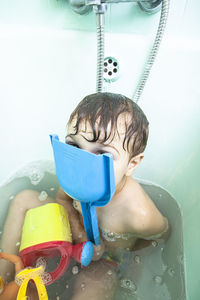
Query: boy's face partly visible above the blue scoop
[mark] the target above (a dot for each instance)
(121, 158)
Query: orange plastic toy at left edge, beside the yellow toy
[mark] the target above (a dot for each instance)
(10, 290)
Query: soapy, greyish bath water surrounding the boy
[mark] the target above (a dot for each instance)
(149, 273)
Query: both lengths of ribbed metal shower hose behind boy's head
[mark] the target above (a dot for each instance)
(150, 60)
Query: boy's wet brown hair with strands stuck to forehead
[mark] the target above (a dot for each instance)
(101, 109)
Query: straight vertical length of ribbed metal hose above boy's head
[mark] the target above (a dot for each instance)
(100, 47)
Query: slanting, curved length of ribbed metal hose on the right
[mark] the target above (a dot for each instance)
(154, 50)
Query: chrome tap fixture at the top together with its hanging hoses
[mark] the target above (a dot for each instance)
(99, 7)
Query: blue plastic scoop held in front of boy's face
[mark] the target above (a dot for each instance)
(86, 177)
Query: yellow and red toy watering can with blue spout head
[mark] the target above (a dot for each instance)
(46, 233)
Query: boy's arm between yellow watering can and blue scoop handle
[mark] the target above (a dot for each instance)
(77, 228)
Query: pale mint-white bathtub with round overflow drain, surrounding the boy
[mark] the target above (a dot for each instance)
(48, 64)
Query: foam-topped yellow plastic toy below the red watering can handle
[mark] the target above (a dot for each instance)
(34, 274)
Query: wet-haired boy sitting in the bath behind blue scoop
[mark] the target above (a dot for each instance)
(104, 123)
